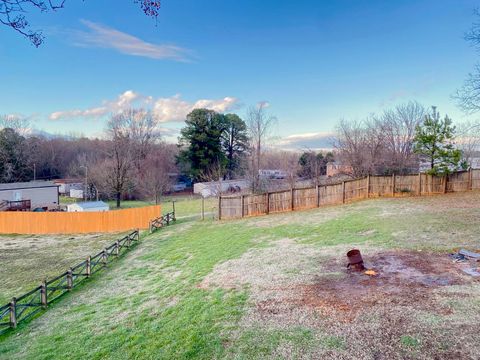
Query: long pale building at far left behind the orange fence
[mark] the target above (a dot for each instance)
(29, 195)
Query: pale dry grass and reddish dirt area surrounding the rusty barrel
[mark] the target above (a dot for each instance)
(412, 308)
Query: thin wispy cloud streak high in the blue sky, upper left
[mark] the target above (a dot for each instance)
(102, 36)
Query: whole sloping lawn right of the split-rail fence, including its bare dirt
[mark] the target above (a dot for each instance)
(276, 287)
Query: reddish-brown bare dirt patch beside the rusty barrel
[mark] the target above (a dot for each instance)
(404, 279)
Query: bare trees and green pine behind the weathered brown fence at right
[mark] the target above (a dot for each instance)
(396, 141)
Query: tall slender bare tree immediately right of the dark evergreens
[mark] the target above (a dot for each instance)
(260, 124)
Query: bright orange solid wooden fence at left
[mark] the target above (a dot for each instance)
(77, 222)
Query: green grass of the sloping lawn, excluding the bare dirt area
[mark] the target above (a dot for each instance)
(152, 303)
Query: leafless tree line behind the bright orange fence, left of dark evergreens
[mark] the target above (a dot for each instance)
(131, 161)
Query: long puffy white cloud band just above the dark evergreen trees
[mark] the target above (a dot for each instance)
(167, 109)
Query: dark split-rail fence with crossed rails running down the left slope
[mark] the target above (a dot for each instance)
(28, 305)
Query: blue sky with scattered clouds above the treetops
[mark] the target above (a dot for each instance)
(314, 62)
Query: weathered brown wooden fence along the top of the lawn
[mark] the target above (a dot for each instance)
(231, 207)
